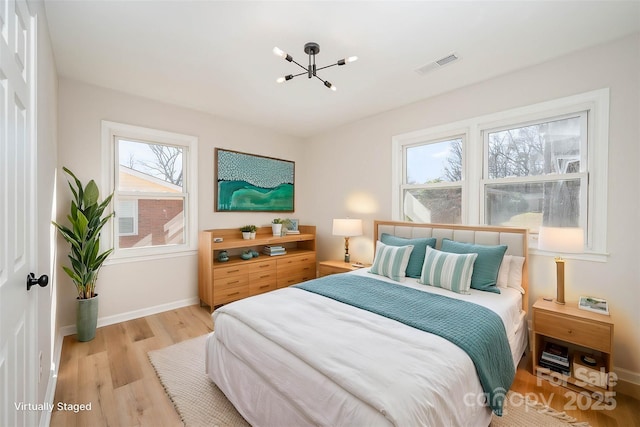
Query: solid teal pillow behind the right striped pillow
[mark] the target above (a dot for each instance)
(487, 266)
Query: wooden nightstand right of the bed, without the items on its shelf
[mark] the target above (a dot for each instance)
(579, 330)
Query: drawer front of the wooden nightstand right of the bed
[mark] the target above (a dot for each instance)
(580, 332)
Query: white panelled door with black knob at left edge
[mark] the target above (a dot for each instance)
(18, 329)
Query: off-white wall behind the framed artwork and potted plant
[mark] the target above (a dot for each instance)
(140, 287)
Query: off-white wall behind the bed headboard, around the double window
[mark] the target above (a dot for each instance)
(358, 181)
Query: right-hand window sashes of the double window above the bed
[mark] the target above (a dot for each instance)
(535, 174)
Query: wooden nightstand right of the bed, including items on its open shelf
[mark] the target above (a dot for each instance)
(579, 345)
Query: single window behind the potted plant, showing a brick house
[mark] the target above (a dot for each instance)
(154, 180)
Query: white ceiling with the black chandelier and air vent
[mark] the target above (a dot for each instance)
(216, 56)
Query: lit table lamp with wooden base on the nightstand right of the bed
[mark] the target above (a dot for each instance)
(561, 240)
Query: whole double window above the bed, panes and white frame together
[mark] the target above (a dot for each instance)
(544, 164)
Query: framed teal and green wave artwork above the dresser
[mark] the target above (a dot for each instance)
(251, 183)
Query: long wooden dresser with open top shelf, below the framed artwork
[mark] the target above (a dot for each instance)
(224, 282)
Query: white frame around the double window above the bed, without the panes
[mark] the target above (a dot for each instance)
(596, 103)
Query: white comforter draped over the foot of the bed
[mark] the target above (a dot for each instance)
(291, 357)
